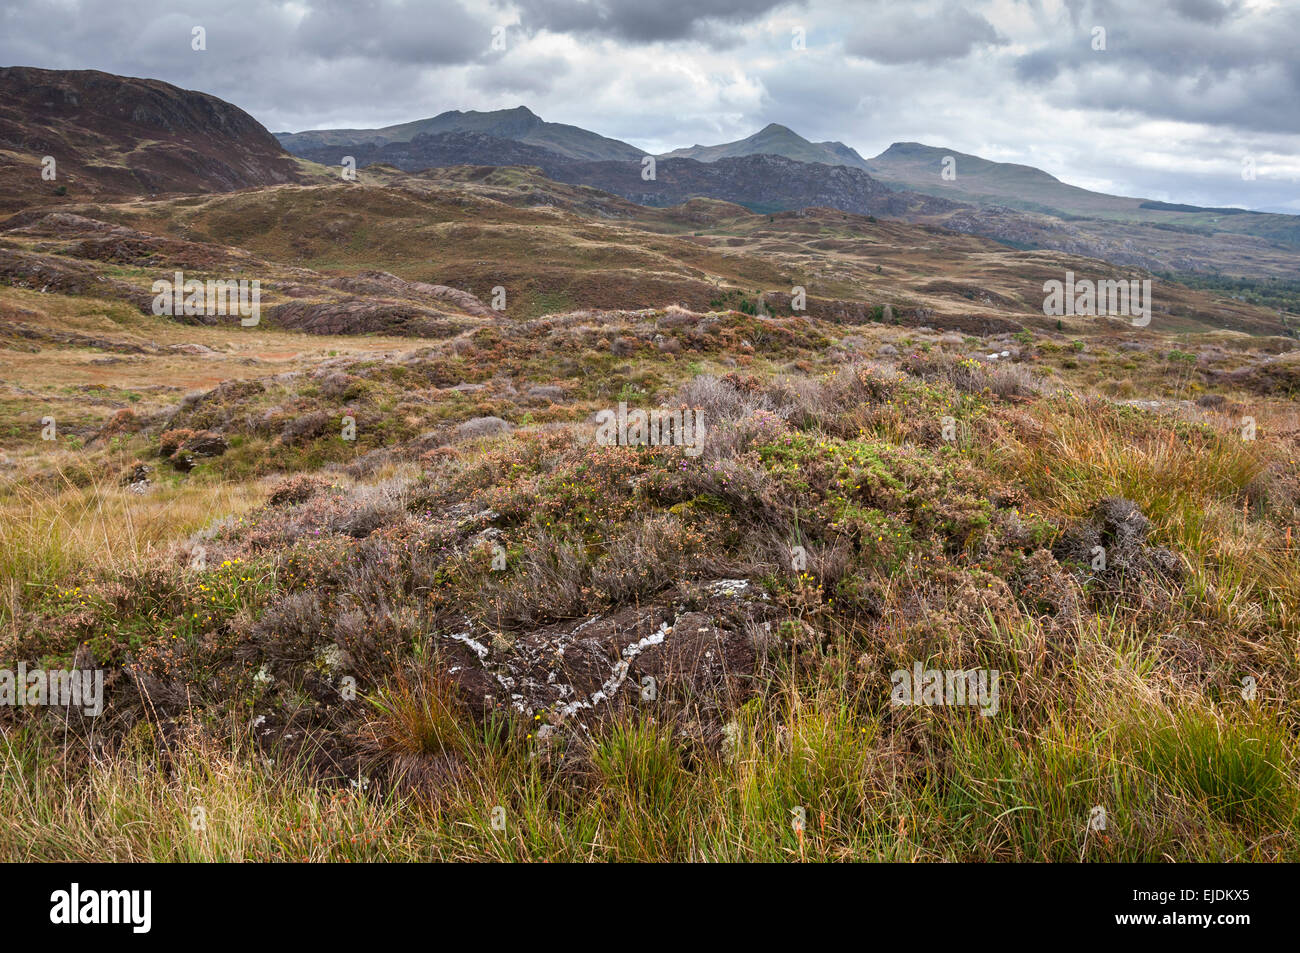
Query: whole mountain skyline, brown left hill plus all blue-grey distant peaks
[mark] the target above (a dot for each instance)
(116, 137)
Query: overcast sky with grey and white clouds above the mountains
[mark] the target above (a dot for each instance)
(1184, 92)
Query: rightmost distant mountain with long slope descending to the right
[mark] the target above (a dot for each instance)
(983, 183)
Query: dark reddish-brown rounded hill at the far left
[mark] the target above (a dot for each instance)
(118, 136)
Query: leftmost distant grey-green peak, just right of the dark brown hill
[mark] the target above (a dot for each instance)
(519, 125)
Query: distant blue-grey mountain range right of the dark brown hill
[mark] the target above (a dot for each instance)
(1013, 203)
